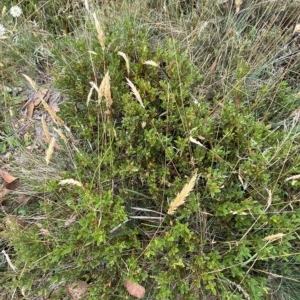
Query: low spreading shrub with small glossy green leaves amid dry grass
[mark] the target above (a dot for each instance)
(236, 228)
